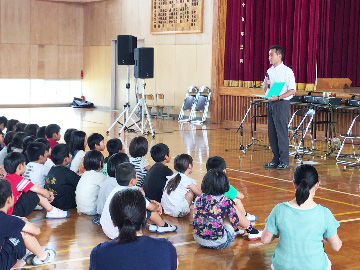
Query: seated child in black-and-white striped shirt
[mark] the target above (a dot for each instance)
(138, 149)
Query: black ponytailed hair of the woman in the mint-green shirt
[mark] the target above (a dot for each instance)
(305, 177)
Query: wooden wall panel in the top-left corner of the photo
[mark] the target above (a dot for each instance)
(15, 21)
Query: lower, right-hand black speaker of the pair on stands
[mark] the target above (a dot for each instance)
(144, 63)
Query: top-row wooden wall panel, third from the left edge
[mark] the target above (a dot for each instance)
(71, 24)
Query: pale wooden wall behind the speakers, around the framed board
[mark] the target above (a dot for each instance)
(180, 60)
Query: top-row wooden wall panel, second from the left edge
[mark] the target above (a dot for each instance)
(44, 22)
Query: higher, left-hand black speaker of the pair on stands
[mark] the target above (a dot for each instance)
(126, 46)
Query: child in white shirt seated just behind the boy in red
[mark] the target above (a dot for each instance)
(36, 171)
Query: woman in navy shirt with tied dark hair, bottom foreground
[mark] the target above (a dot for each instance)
(131, 249)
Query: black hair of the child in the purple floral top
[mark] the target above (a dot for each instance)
(215, 182)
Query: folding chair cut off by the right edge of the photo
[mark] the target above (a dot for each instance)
(349, 135)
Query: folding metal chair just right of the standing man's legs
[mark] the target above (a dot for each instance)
(307, 116)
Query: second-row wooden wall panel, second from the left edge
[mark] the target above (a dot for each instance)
(44, 62)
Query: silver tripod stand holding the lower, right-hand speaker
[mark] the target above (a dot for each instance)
(144, 109)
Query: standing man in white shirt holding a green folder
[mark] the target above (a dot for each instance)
(279, 108)
